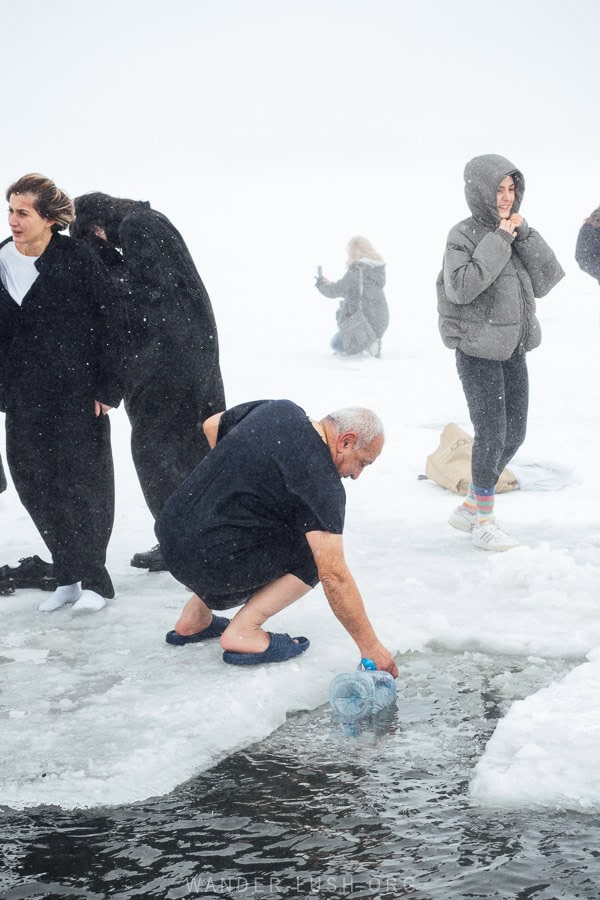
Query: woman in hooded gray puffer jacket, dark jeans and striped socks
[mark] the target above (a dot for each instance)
(494, 267)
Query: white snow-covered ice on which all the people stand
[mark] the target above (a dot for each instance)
(97, 709)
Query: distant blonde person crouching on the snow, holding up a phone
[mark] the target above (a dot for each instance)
(361, 287)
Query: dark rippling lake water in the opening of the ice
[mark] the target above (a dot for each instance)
(314, 812)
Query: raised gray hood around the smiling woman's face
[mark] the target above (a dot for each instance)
(483, 174)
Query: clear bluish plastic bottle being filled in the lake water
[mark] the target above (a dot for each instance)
(354, 696)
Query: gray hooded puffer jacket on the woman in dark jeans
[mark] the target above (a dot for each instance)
(490, 279)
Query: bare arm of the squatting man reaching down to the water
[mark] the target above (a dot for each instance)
(345, 599)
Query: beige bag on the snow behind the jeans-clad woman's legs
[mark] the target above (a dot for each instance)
(450, 464)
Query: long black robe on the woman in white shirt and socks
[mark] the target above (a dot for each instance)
(61, 350)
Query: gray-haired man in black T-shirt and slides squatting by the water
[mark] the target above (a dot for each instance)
(259, 522)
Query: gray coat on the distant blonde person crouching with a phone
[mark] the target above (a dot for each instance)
(370, 275)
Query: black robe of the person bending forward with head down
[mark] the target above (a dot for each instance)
(173, 379)
